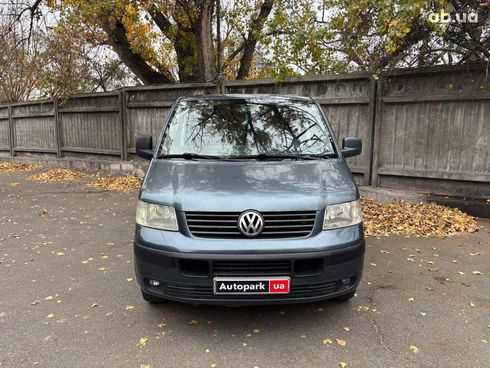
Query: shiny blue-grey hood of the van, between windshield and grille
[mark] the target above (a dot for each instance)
(235, 186)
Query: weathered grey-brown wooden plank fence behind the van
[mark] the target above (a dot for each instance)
(425, 129)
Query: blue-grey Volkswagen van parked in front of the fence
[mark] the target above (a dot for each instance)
(248, 200)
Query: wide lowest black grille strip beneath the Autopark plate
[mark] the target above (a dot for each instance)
(297, 291)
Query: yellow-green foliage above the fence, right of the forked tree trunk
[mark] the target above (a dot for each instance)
(311, 37)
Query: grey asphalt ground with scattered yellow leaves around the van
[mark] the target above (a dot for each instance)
(68, 299)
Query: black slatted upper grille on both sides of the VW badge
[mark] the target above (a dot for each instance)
(276, 224)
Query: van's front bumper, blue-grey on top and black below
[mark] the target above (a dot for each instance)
(315, 274)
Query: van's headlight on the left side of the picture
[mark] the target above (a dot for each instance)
(156, 216)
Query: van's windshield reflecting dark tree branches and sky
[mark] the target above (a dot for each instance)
(239, 127)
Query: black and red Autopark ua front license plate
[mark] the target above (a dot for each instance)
(251, 285)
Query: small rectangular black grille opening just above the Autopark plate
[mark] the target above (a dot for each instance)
(244, 268)
